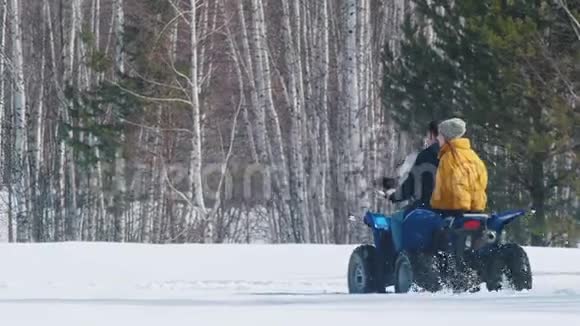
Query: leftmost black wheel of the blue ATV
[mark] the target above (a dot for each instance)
(361, 278)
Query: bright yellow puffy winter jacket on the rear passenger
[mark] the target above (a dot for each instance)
(461, 180)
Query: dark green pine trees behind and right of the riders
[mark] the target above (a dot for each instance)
(511, 69)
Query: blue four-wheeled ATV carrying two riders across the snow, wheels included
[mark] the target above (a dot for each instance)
(427, 250)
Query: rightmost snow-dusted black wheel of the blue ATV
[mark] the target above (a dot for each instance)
(512, 266)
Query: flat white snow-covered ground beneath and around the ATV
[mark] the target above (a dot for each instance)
(80, 284)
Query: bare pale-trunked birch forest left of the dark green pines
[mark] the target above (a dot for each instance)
(173, 121)
